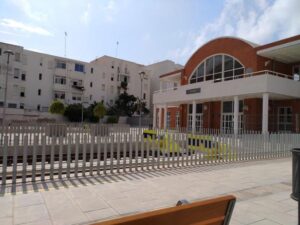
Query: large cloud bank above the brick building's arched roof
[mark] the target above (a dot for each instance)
(258, 21)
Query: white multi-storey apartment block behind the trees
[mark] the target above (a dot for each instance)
(36, 79)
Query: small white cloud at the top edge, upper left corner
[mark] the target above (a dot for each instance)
(26, 7)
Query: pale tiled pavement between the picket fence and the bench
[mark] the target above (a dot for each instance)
(263, 190)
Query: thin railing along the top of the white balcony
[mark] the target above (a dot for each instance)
(251, 74)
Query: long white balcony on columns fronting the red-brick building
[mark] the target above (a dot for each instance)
(250, 84)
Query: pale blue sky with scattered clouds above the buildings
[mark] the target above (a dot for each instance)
(147, 31)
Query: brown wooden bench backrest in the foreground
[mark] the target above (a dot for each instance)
(215, 211)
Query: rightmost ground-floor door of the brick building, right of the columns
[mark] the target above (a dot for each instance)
(285, 119)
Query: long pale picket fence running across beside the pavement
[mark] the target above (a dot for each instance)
(41, 155)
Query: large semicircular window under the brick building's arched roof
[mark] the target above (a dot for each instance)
(218, 68)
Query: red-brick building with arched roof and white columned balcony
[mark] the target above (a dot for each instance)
(233, 85)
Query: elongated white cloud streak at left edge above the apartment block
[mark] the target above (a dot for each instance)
(19, 26)
